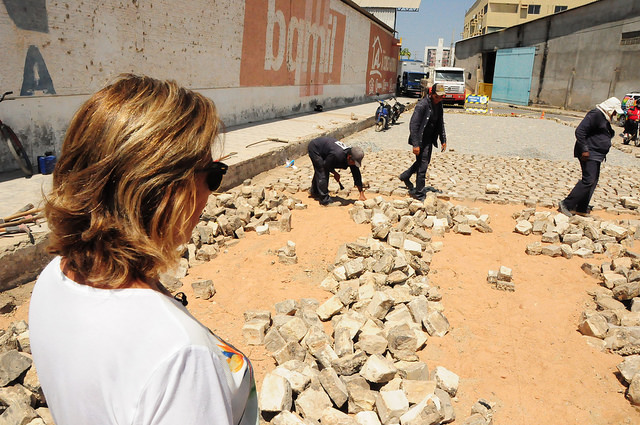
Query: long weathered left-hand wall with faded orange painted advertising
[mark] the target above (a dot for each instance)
(257, 60)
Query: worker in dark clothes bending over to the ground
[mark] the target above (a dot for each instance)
(326, 155)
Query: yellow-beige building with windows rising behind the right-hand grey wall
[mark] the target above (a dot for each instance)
(486, 16)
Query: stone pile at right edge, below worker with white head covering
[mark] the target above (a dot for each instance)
(614, 322)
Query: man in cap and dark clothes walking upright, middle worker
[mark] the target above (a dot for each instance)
(426, 125)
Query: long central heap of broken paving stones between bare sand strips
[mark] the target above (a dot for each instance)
(366, 370)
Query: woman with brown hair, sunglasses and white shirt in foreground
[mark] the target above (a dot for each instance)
(110, 343)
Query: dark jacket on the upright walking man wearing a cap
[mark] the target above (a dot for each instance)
(427, 122)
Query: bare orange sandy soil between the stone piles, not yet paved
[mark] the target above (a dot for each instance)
(520, 350)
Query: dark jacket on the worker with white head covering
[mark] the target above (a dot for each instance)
(593, 135)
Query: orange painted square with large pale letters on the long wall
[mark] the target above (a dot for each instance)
(292, 42)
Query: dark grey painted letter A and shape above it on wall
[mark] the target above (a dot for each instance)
(31, 15)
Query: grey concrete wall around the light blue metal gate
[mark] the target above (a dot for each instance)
(580, 58)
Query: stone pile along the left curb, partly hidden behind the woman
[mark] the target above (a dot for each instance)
(224, 221)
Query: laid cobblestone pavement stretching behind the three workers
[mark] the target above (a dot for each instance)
(531, 160)
